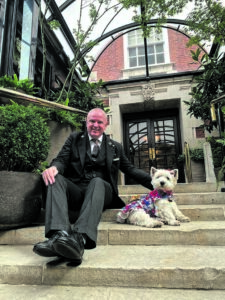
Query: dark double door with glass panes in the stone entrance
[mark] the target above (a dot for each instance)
(153, 140)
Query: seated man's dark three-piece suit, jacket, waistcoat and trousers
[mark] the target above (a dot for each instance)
(87, 185)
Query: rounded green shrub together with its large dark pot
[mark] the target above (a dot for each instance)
(24, 142)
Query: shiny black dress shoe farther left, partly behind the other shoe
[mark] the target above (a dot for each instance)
(46, 248)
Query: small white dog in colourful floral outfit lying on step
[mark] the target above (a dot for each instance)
(157, 207)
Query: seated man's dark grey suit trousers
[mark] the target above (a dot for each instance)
(89, 199)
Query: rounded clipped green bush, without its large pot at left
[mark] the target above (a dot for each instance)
(24, 137)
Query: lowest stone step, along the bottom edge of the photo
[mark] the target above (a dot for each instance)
(37, 292)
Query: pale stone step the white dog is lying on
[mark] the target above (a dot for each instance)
(194, 233)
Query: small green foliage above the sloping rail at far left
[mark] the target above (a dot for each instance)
(13, 82)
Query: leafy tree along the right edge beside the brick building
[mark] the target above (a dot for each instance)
(207, 24)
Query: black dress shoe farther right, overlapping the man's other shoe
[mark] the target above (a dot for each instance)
(70, 247)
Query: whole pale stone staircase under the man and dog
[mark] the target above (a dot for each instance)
(130, 262)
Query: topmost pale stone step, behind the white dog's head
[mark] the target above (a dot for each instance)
(195, 187)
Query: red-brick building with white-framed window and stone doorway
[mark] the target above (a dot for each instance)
(148, 115)
